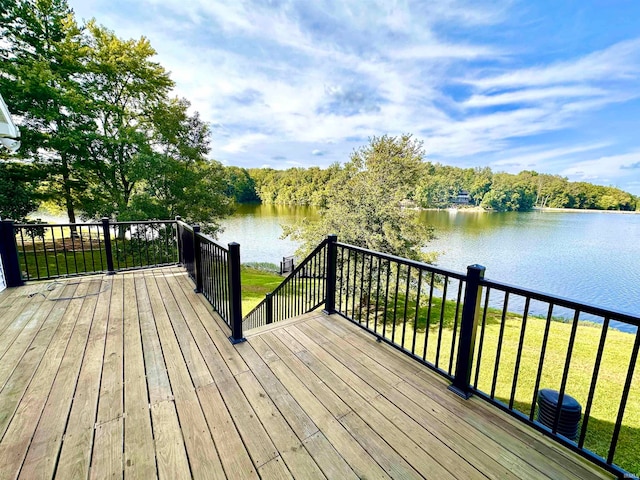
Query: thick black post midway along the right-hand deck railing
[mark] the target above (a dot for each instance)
(468, 328)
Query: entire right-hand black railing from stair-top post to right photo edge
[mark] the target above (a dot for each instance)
(507, 345)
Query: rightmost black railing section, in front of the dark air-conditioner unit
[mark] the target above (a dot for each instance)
(529, 341)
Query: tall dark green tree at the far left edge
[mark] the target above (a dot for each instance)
(41, 60)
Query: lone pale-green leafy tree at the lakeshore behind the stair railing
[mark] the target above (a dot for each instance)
(363, 205)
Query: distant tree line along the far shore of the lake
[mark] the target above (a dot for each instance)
(438, 186)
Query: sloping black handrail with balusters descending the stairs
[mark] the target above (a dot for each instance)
(303, 291)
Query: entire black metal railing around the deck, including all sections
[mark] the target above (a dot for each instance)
(529, 353)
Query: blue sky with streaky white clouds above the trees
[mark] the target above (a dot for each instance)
(552, 86)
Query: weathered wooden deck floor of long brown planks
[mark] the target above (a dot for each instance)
(132, 376)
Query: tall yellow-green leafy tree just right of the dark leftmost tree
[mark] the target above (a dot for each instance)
(126, 88)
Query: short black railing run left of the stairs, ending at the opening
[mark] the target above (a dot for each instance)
(215, 270)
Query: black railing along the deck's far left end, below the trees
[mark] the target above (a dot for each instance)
(46, 251)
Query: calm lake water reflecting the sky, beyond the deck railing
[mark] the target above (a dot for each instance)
(592, 257)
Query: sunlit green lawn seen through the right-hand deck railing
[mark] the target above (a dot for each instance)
(611, 377)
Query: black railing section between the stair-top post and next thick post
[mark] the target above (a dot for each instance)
(411, 305)
